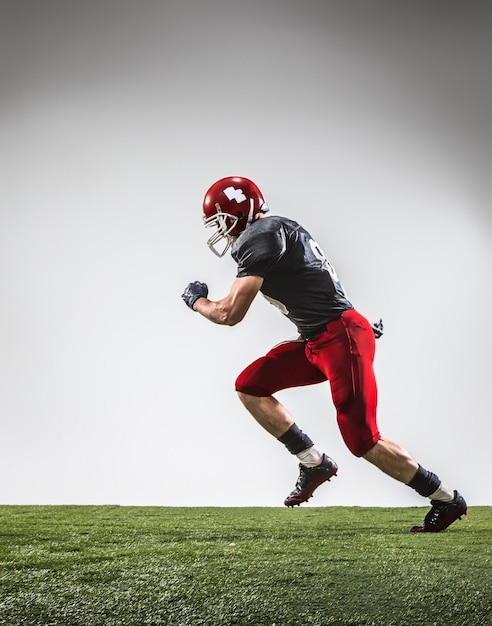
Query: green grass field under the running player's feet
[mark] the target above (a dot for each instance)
(104, 565)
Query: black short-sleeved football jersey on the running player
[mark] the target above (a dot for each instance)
(298, 278)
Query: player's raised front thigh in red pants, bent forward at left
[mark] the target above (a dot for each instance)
(284, 366)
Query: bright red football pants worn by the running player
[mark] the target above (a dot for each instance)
(343, 354)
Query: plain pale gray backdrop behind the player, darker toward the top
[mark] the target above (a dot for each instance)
(369, 122)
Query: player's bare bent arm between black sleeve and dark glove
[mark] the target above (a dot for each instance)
(229, 310)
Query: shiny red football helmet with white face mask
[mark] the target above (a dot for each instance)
(230, 206)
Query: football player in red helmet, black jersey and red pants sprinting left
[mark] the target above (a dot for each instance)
(279, 258)
